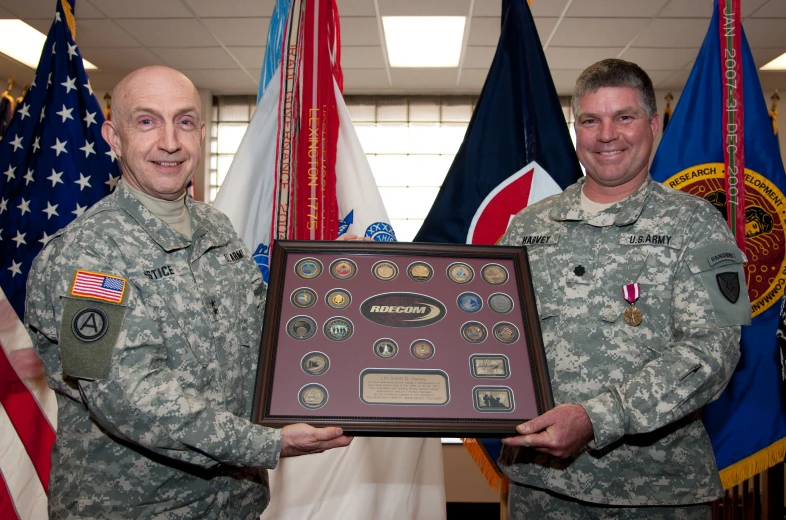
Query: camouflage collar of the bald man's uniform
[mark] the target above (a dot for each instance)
(205, 234)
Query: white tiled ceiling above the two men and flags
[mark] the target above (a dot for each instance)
(219, 44)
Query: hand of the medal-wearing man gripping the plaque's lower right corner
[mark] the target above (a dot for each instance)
(561, 432)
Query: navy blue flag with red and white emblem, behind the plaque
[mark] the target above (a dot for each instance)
(517, 151)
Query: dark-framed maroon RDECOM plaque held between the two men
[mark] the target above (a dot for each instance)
(281, 377)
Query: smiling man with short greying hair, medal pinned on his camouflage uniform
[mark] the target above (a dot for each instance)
(641, 295)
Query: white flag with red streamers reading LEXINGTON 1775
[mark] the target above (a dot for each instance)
(374, 477)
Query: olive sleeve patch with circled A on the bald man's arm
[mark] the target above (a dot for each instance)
(88, 333)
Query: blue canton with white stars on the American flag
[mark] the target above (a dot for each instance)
(54, 164)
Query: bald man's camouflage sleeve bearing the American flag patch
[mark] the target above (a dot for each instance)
(134, 396)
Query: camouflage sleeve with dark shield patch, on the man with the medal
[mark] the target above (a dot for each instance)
(709, 303)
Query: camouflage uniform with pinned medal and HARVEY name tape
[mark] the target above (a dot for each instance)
(639, 385)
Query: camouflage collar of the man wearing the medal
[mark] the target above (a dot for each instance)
(627, 211)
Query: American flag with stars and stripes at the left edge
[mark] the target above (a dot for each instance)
(54, 164)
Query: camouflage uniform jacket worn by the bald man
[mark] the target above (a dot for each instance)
(153, 415)
